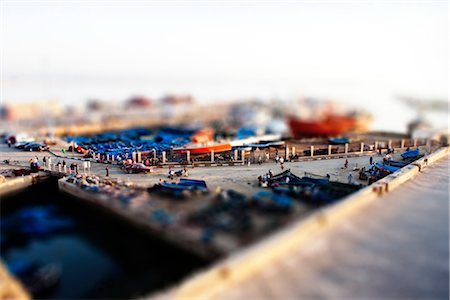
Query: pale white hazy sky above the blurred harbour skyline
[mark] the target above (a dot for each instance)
(361, 53)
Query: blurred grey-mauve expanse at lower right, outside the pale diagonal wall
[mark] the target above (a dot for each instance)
(397, 247)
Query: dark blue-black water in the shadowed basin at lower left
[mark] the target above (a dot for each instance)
(101, 257)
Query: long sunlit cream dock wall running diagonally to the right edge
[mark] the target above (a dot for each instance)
(223, 275)
